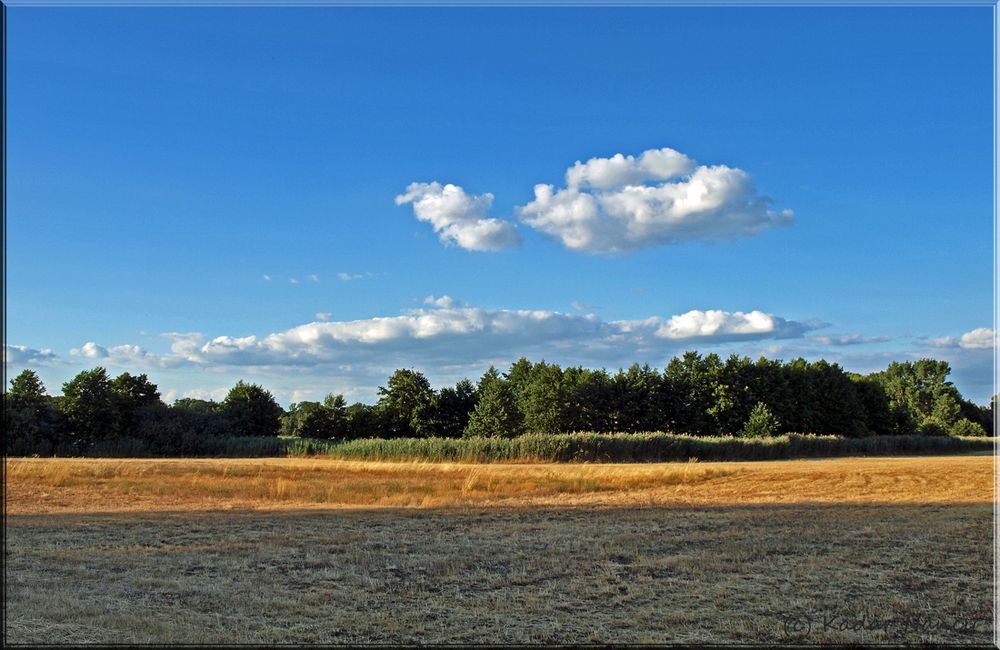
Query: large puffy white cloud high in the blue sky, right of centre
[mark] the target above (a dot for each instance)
(609, 206)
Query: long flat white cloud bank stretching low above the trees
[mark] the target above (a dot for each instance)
(446, 335)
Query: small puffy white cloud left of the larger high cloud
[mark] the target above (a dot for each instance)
(460, 218)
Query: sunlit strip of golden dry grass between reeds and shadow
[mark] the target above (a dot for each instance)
(107, 485)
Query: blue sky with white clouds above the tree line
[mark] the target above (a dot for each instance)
(819, 184)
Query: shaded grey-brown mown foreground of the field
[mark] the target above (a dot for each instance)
(660, 574)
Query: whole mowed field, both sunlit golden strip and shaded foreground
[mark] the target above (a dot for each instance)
(846, 550)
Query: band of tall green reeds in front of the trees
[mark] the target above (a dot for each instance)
(567, 447)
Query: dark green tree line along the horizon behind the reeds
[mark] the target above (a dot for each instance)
(694, 394)
